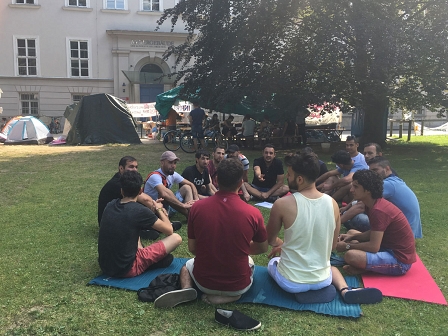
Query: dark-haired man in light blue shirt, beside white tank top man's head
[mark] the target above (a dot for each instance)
(339, 188)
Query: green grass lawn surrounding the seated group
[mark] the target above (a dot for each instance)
(48, 250)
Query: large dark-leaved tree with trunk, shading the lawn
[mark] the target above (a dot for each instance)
(280, 55)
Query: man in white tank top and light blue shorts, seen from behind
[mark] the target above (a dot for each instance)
(311, 222)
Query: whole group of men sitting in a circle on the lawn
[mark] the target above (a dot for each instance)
(224, 231)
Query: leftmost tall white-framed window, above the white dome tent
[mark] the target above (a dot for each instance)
(26, 56)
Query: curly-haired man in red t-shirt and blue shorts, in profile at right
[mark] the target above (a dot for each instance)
(389, 246)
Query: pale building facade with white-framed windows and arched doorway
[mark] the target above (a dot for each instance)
(54, 52)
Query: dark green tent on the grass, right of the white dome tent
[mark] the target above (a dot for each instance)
(100, 119)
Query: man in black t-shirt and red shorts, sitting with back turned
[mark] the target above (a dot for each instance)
(120, 252)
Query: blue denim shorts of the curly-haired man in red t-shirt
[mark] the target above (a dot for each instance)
(384, 262)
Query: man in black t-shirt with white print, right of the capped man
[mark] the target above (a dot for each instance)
(198, 174)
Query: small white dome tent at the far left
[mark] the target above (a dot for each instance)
(28, 131)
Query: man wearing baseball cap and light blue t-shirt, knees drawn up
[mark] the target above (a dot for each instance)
(158, 185)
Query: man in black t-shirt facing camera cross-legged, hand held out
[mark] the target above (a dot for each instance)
(268, 182)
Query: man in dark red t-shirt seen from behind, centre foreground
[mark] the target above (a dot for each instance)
(222, 268)
